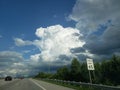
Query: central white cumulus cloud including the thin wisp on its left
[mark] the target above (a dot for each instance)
(54, 41)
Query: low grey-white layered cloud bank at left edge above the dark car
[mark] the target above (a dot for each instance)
(11, 63)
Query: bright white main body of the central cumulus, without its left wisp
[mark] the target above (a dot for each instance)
(57, 40)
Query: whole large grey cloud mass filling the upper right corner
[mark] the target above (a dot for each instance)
(99, 23)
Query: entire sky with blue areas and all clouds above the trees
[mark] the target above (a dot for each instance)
(38, 34)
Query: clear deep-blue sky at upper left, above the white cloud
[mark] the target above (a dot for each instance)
(20, 18)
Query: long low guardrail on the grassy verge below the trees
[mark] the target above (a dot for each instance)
(82, 84)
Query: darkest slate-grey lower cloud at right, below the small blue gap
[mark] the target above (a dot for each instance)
(108, 43)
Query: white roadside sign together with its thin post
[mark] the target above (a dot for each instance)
(90, 66)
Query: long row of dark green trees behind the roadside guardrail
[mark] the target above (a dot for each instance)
(106, 72)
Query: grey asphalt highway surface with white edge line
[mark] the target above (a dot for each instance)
(29, 84)
